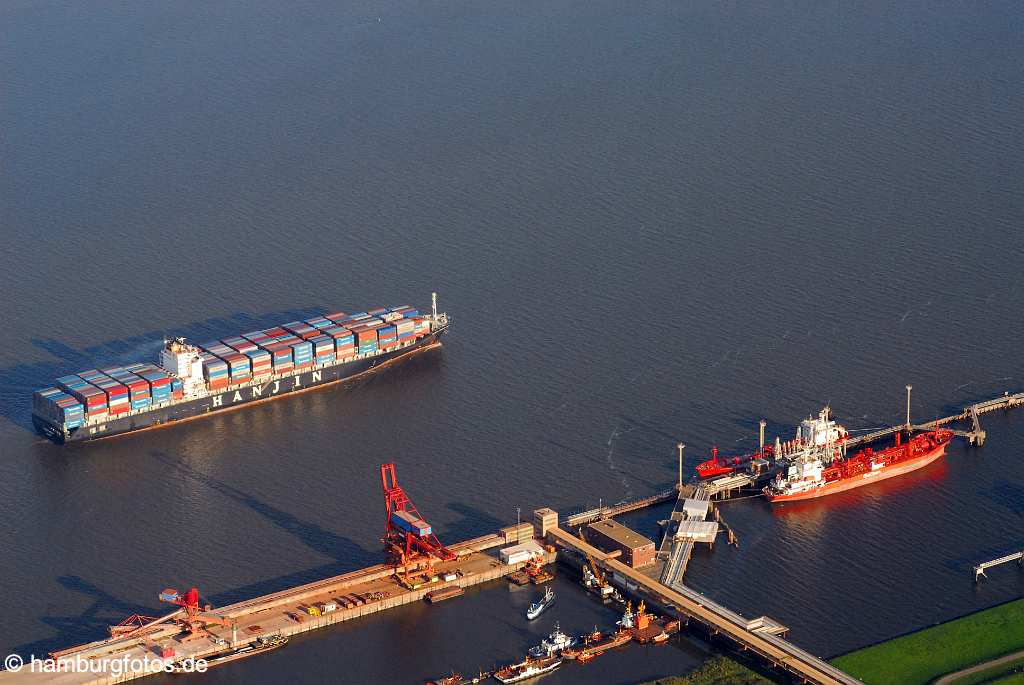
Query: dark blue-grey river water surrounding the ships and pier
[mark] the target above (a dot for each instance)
(652, 223)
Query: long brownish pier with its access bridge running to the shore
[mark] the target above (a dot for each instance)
(376, 589)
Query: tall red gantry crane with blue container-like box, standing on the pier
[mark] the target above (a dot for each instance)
(408, 539)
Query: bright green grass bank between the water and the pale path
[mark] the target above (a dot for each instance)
(921, 658)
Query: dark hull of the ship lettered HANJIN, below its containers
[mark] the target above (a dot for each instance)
(234, 399)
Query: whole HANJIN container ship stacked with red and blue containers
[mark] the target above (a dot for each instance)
(192, 381)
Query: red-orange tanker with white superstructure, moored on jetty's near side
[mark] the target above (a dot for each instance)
(828, 472)
